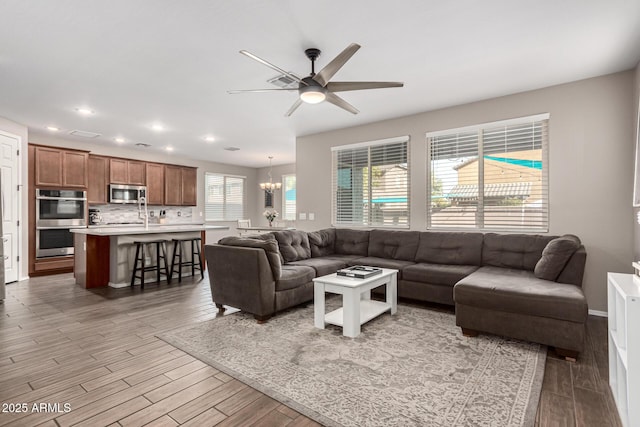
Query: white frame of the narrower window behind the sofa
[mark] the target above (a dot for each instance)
(368, 224)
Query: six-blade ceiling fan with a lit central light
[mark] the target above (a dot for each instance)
(316, 88)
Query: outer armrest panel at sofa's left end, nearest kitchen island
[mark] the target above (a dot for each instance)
(241, 277)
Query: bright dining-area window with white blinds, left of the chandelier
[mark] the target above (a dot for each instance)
(224, 197)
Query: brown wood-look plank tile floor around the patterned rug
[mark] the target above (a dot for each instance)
(93, 357)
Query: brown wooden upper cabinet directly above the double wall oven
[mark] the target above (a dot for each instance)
(57, 167)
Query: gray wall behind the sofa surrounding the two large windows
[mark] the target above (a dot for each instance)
(590, 164)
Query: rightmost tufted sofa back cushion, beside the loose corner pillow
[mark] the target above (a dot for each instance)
(520, 251)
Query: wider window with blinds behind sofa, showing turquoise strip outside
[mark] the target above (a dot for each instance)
(490, 177)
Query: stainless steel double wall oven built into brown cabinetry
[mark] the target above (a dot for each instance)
(57, 212)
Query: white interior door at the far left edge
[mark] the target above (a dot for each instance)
(9, 200)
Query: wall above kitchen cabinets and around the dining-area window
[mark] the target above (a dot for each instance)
(118, 151)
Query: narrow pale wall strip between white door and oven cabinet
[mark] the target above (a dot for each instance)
(21, 131)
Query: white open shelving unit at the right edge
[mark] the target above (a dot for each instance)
(624, 344)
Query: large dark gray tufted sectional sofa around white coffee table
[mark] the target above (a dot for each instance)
(521, 286)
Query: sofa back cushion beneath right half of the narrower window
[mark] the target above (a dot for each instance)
(400, 245)
